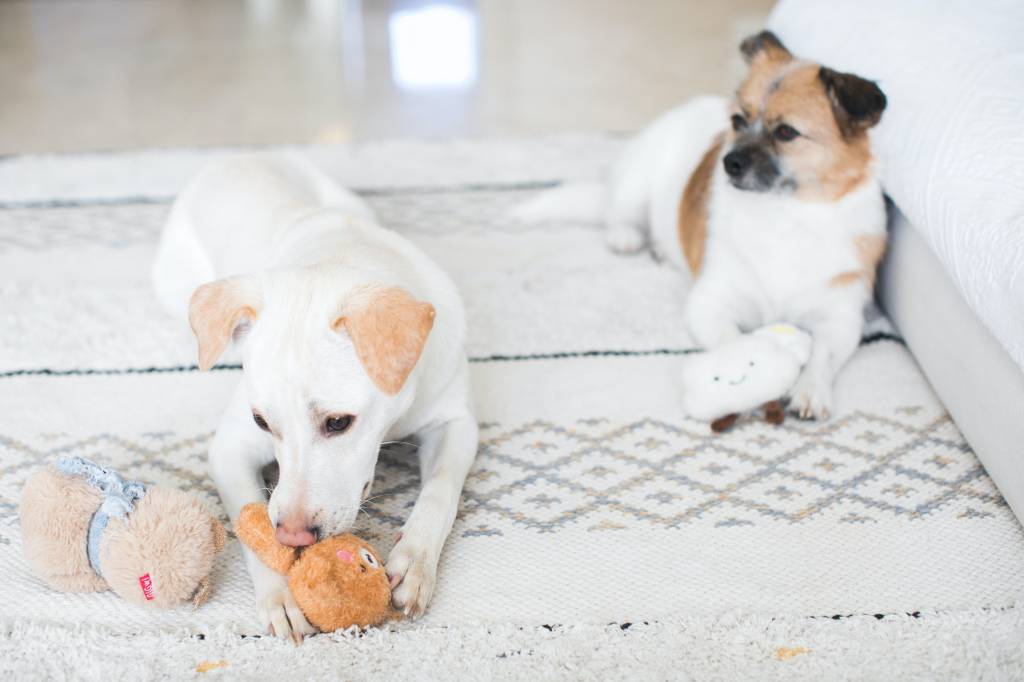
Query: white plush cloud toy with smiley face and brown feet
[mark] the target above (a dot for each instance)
(753, 371)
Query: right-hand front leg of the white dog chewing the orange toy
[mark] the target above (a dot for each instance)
(447, 454)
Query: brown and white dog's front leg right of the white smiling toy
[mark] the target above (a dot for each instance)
(837, 336)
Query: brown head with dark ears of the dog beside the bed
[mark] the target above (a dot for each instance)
(800, 127)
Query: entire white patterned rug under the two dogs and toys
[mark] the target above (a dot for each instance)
(593, 501)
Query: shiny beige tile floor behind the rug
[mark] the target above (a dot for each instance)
(116, 74)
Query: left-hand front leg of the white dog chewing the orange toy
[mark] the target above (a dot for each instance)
(238, 455)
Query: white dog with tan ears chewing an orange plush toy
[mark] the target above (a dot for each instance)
(352, 337)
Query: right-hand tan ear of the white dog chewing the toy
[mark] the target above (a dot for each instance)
(389, 329)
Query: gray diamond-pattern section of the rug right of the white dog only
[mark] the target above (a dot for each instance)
(545, 477)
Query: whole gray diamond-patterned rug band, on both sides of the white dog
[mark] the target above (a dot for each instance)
(594, 475)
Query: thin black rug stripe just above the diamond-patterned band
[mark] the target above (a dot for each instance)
(572, 355)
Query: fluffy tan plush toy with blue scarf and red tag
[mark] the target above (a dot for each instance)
(86, 529)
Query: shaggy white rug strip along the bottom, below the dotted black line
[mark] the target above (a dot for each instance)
(969, 646)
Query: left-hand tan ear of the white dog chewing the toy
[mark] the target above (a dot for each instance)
(219, 308)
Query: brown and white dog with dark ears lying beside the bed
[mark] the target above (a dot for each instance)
(779, 218)
